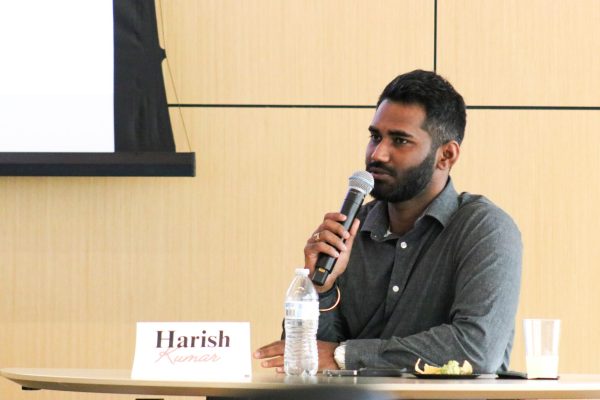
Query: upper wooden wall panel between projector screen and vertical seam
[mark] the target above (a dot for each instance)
(293, 52)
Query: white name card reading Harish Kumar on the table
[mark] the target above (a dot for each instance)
(192, 351)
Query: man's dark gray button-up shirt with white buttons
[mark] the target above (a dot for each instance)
(446, 290)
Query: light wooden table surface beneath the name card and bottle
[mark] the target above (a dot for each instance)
(569, 386)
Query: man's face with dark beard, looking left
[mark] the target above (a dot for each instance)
(399, 154)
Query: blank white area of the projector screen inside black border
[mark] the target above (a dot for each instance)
(57, 76)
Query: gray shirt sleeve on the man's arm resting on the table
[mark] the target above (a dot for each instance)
(487, 260)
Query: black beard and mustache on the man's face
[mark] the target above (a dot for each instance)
(413, 182)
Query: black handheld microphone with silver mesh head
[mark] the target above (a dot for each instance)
(361, 184)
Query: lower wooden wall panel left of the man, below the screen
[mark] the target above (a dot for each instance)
(86, 258)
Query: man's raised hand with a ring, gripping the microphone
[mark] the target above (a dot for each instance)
(329, 239)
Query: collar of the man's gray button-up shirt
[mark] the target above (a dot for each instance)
(441, 208)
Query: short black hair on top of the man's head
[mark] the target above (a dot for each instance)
(445, 111)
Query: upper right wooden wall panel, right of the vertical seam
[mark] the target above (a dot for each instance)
(521, 52)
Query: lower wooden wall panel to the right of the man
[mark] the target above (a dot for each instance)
(543, 167)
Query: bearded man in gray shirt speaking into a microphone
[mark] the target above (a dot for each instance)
(424, 272)
